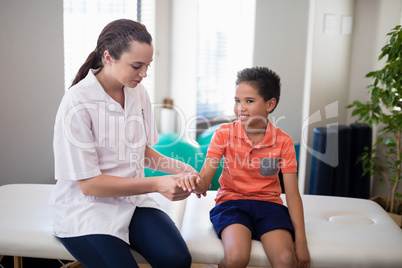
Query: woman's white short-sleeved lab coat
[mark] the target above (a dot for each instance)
(94, 135)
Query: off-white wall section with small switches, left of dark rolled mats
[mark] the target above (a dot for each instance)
(326, 92)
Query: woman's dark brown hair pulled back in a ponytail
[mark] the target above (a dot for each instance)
(116, 38)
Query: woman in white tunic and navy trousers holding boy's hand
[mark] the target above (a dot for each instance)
(103, 131)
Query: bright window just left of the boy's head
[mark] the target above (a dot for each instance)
(225, 40)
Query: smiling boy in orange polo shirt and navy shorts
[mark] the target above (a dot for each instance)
(248, 202)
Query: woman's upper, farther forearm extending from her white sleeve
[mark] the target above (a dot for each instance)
(157, 161)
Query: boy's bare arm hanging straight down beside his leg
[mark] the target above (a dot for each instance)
(295, 206)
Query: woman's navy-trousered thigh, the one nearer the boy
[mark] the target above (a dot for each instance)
(155, 236)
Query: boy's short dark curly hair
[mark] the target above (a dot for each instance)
(266, 81)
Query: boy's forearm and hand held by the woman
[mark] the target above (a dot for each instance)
(202, 184)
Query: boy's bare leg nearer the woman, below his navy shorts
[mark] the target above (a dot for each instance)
(236, 239)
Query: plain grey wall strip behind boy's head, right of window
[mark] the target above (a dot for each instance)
(280, 44)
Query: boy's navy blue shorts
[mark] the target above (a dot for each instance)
(258, 216)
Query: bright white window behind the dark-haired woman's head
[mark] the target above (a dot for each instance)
(85, 19)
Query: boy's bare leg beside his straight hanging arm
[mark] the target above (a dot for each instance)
(278, 245)
